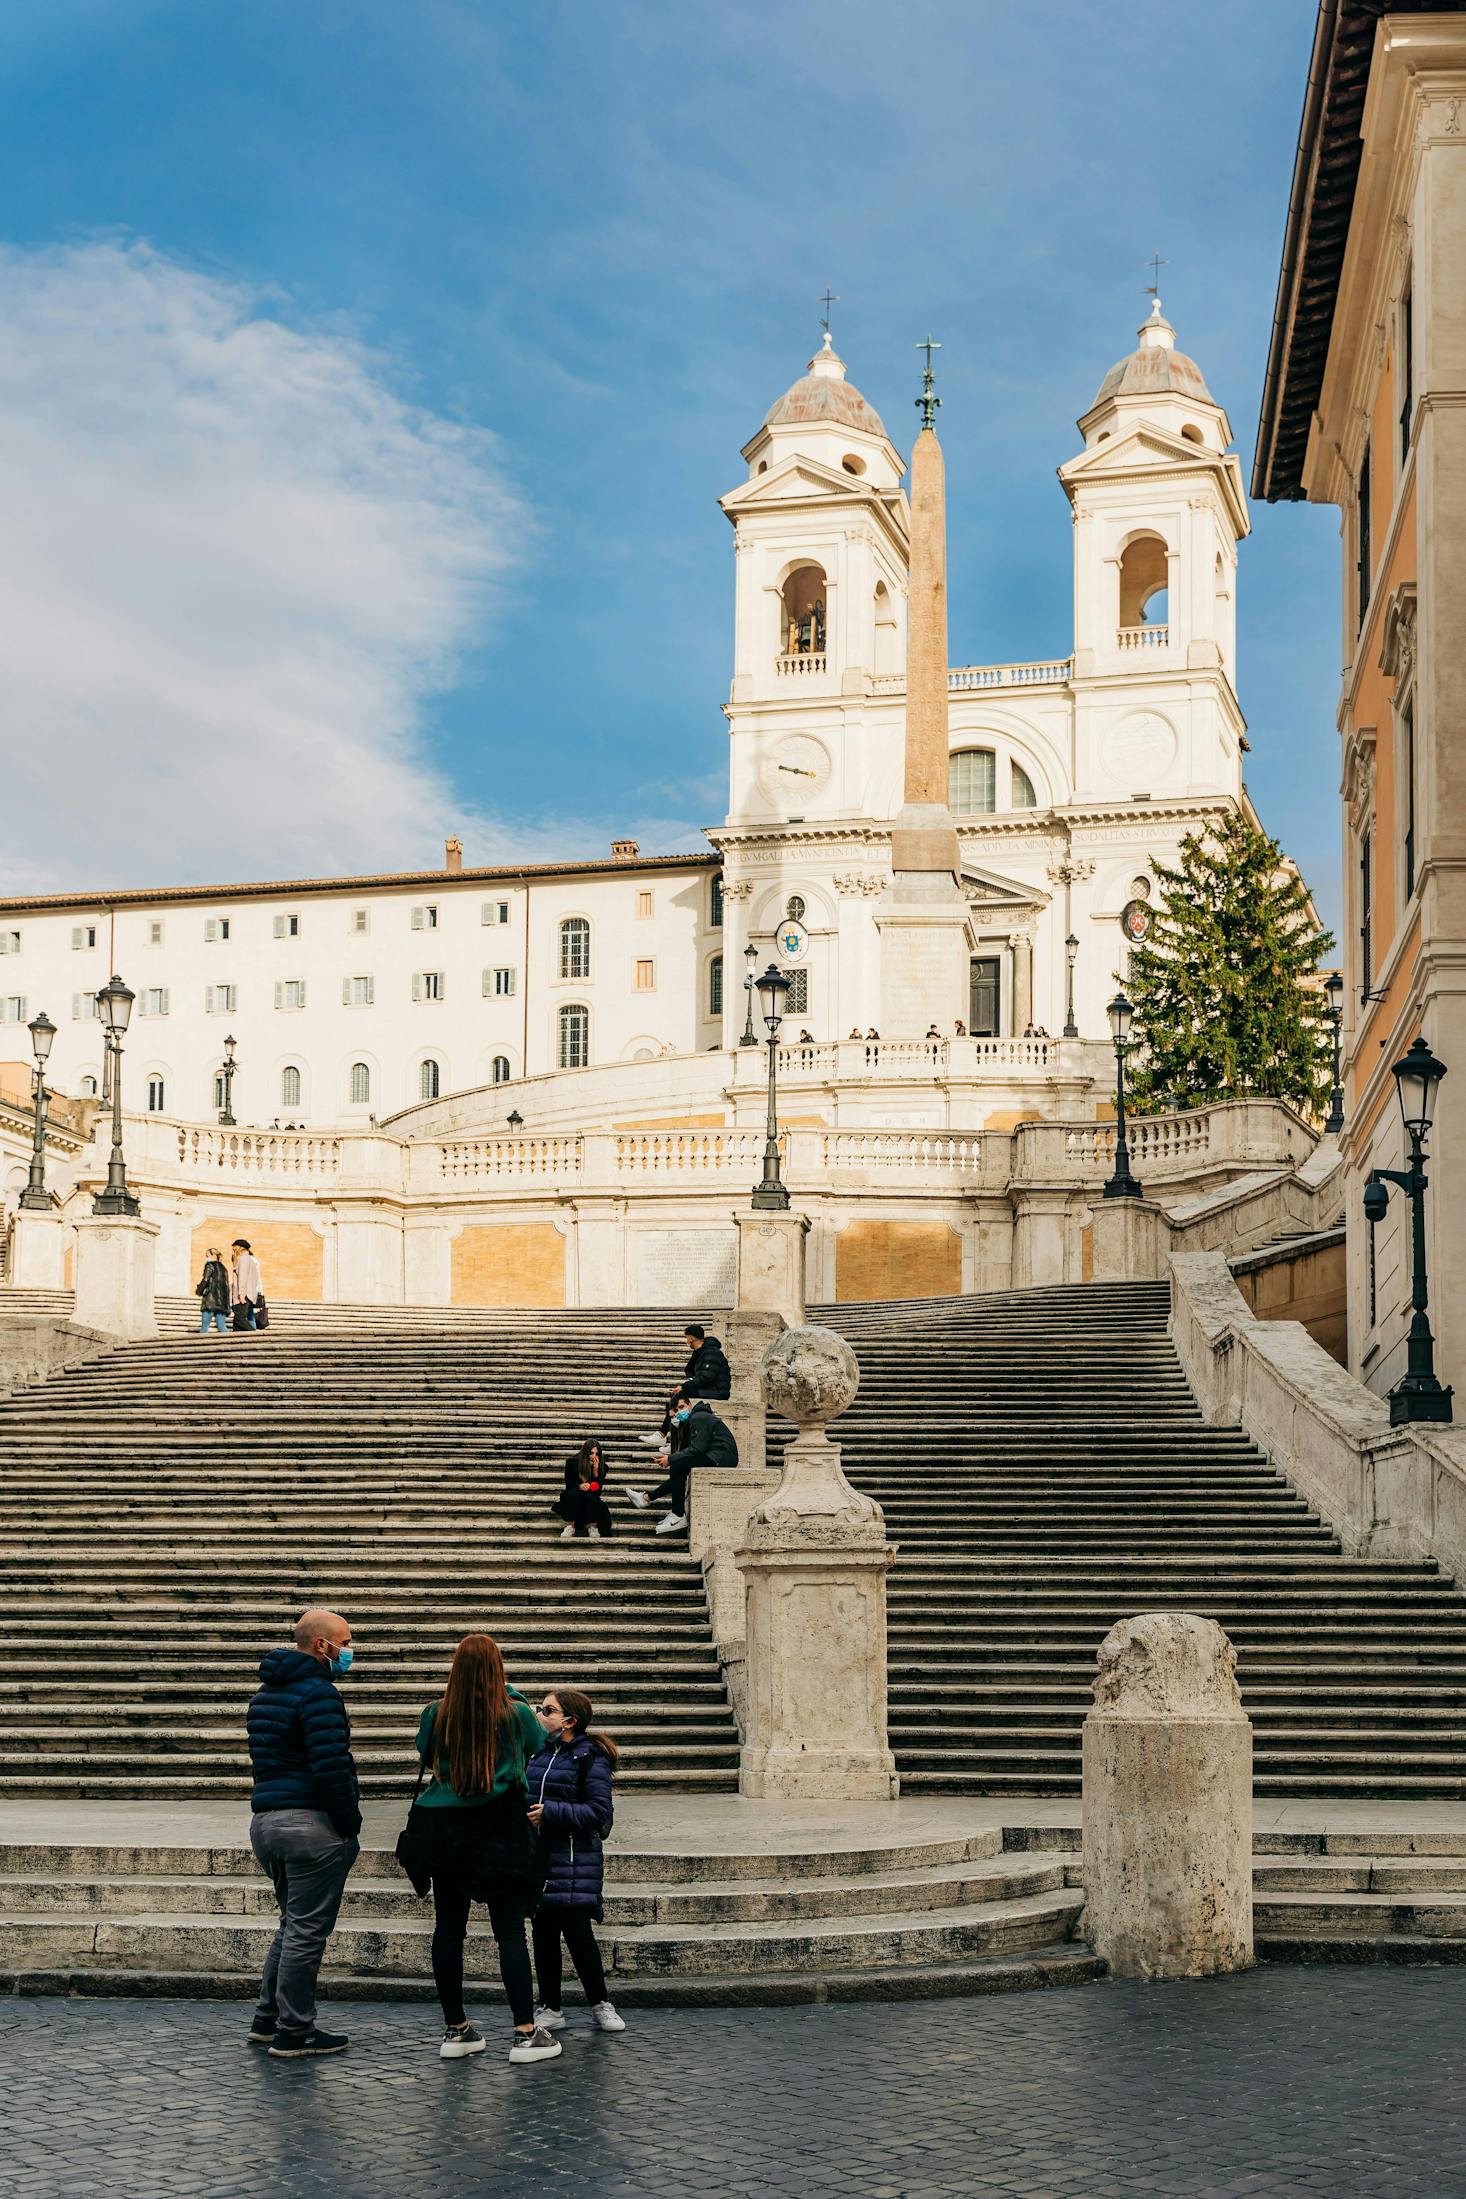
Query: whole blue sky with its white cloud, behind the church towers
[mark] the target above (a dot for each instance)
(373, 375)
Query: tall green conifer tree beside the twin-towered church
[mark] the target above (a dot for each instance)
(1225, 995)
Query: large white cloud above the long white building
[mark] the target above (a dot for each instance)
(234, 564)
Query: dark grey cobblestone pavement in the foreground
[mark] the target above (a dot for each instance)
(1326, 2081)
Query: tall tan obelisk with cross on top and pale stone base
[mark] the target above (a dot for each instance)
(924, 911)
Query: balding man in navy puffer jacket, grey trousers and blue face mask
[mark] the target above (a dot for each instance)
(304, 1826)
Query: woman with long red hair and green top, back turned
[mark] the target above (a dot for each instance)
(476, 1741)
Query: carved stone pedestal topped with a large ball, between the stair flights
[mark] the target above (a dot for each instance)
(814, 1562)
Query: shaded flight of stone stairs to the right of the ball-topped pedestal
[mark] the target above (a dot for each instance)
(1045, 1472)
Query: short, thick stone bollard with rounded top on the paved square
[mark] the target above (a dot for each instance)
(1168, 1802)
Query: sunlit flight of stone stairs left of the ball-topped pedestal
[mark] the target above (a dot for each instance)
(168, 1510)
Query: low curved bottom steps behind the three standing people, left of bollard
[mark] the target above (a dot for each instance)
(896, 1919)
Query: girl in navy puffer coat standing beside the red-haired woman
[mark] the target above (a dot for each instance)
(570, 1806)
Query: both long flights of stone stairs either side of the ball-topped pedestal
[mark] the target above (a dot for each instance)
(166, 1512)
